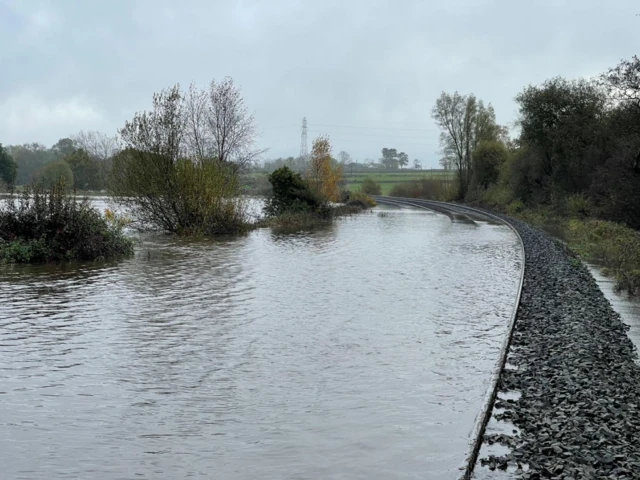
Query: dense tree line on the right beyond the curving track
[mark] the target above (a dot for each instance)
(578, 144)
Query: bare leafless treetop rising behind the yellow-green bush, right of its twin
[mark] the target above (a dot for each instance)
(219, 125)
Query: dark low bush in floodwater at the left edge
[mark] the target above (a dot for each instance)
(50, 225)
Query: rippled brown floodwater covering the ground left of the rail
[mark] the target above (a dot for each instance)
(358, 351)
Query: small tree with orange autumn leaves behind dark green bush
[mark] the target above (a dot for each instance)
(323, 176)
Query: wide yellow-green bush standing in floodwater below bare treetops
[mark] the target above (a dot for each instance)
(182, 196)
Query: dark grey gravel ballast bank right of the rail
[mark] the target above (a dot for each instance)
(579, 413)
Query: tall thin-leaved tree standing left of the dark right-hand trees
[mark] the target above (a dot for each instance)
(464, 122)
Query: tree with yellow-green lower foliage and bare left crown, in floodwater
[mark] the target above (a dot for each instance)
(168, 186)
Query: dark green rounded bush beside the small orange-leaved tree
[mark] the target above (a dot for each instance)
(290, 194)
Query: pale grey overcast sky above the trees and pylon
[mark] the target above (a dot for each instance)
(365, 72)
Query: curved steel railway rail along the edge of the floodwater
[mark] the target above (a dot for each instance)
(455, 211)
